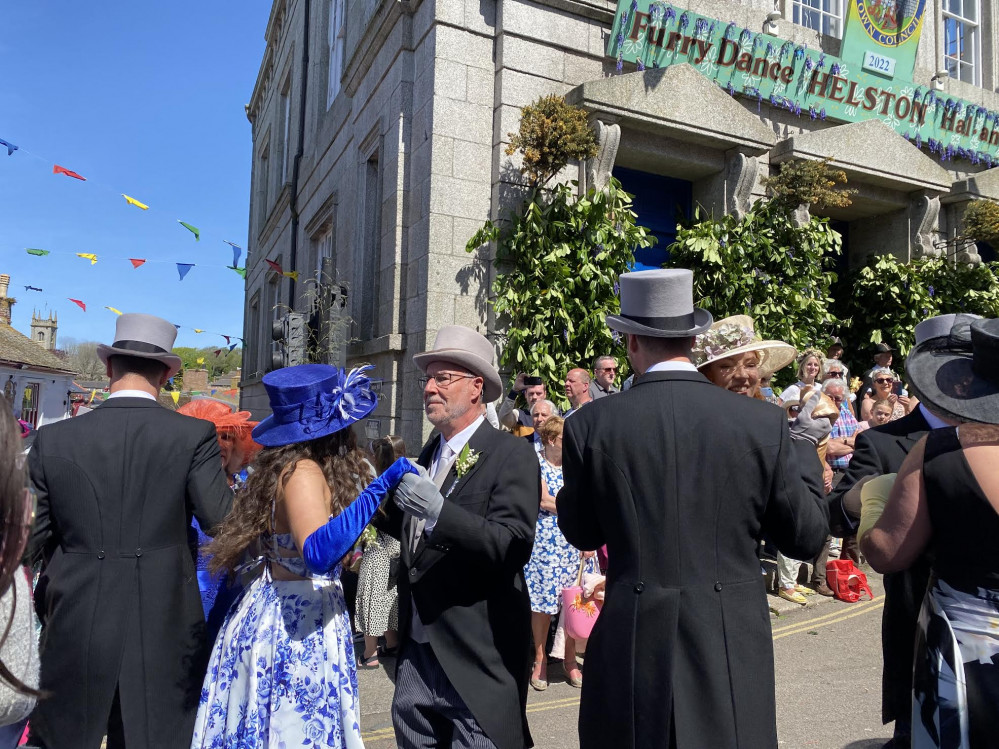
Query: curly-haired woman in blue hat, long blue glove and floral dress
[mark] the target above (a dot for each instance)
(282, 671)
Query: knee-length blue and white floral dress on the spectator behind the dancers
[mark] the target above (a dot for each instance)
(554, 562)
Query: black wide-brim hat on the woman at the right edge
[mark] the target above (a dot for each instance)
(957, 375)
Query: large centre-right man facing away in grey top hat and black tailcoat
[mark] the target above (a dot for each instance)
(679, 479)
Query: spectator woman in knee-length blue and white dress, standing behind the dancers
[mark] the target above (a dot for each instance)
(554, 563)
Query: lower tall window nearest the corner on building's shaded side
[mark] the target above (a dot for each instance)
(367, 261)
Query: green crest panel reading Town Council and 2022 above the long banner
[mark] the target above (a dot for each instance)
(882, 35)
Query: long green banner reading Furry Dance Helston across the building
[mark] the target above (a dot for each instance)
(760, 66)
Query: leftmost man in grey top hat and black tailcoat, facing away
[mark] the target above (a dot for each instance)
(122, 646)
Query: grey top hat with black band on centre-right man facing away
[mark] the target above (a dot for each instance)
(659, 303)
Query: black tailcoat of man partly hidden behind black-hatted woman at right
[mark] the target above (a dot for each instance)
(878, 451)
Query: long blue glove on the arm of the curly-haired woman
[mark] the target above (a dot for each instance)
(326, 545)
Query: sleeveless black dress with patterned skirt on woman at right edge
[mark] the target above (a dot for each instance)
(956, 672)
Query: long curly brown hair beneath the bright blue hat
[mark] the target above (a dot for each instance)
(344, 465)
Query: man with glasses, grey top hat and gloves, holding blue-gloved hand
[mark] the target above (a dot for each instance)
(467, 529)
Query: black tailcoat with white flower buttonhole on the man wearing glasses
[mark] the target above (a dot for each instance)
(467, 578)
